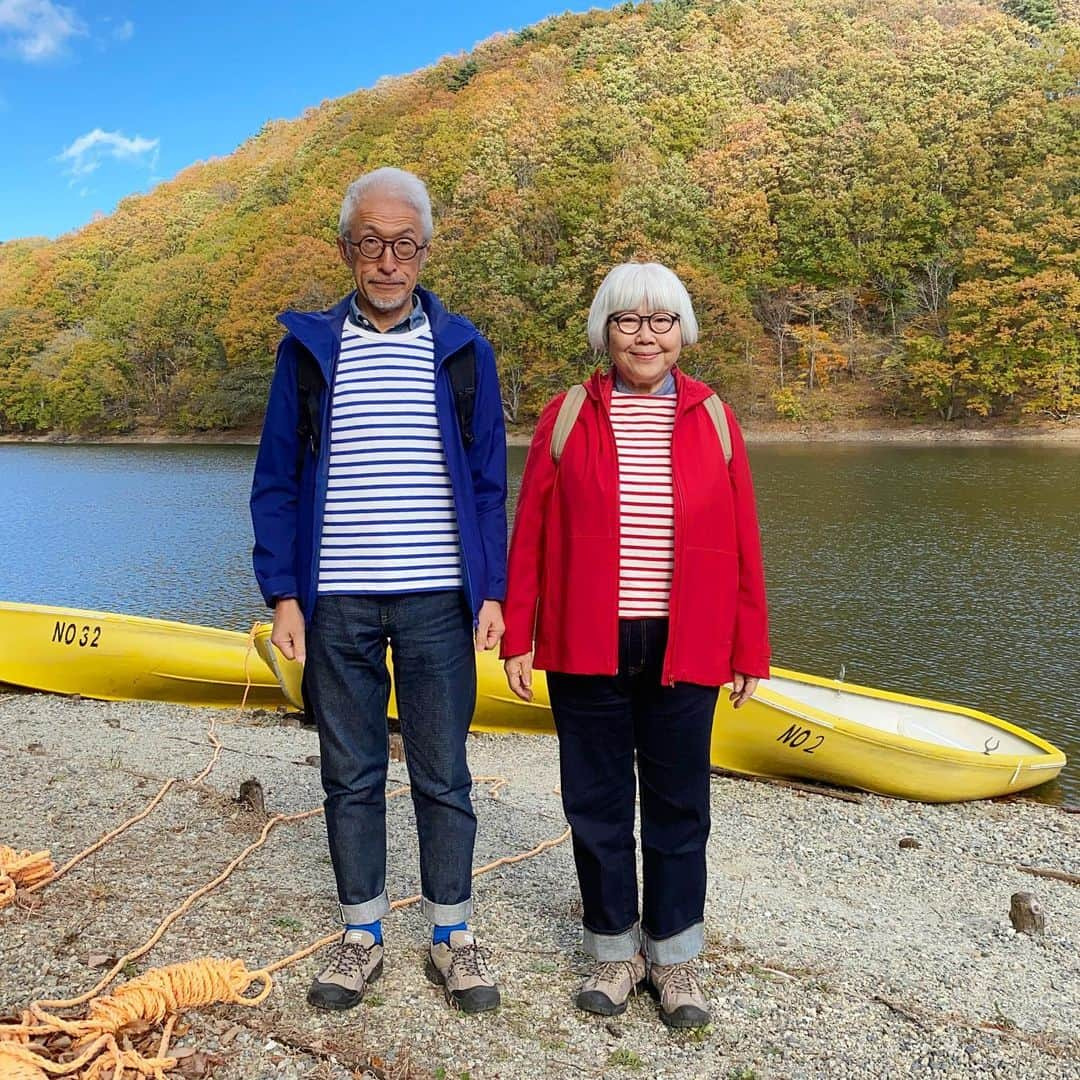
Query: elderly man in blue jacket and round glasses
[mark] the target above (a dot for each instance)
(380, 512)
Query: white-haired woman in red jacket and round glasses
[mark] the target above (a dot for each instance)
(637, 584)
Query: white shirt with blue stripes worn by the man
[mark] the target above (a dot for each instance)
(389, 524)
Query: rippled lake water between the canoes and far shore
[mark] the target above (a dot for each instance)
(949, 572)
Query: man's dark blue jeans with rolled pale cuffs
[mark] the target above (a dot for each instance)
(348, 687)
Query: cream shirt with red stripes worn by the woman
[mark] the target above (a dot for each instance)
(643, 436)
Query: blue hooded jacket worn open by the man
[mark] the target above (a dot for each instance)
(289, 492)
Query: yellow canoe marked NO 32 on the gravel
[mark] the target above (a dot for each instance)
(123, 657)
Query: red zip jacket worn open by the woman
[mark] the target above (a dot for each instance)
(563, 588)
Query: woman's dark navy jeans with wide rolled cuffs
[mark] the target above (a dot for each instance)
(603, 722)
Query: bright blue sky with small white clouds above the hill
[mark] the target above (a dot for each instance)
(101, 100)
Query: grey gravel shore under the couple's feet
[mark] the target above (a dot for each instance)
(831, 952)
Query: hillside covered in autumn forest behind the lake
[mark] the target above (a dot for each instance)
(873, 202)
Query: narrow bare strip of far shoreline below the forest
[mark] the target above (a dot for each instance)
(767, 433)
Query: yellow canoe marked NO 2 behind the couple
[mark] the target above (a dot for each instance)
(803, 727)
